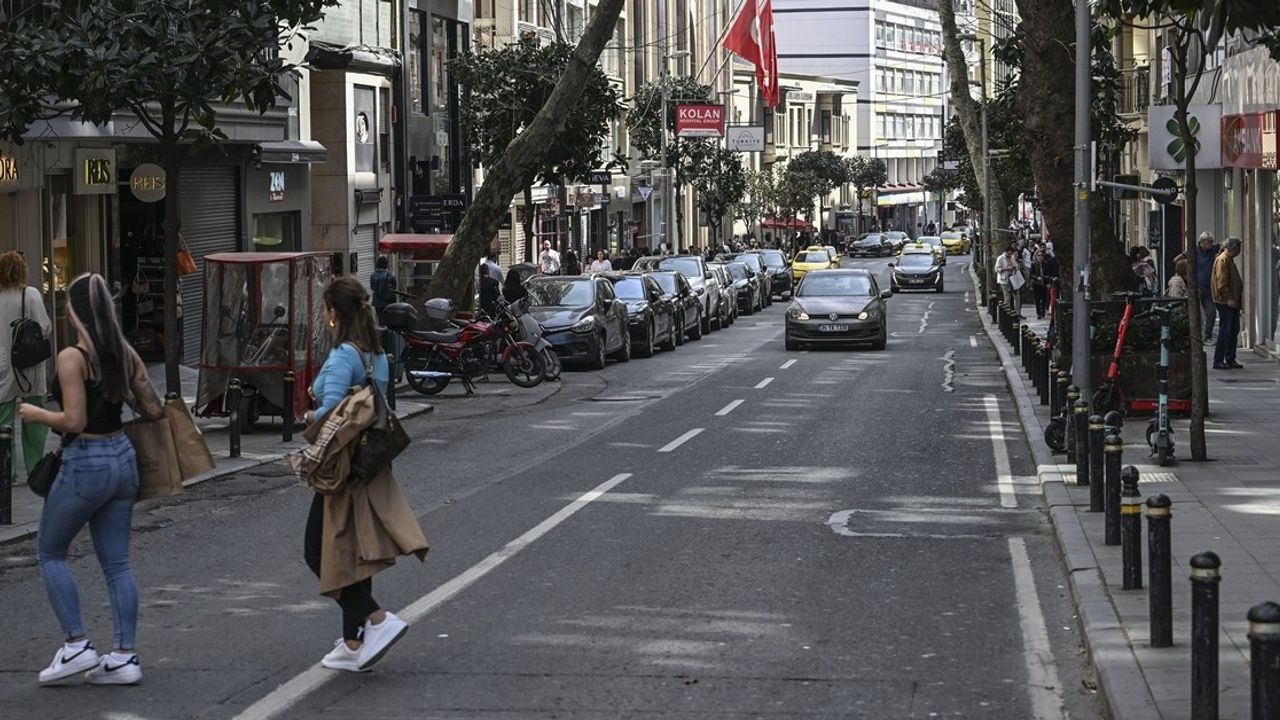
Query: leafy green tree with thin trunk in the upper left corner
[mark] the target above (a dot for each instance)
(168, 63)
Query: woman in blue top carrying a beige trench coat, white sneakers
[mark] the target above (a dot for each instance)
(355, 530)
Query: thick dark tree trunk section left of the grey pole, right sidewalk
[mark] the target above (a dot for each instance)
(1046, 99)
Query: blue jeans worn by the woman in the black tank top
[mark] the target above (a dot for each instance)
(97, 486)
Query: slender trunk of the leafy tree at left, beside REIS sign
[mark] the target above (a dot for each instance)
(172, 153)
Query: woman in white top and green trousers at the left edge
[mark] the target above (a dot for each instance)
(26, 385)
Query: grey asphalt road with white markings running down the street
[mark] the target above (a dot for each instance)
(725, 531)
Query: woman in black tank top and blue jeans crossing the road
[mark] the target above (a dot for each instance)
(97, 485)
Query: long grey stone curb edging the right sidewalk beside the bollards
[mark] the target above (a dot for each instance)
(1119, 675)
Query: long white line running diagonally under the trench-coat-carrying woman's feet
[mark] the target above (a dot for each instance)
(314, 678)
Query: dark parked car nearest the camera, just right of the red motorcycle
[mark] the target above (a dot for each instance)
(583, 318)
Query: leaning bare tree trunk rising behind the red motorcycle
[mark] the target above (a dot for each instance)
(520, 161)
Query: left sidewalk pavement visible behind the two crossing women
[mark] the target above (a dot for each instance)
(260, 448)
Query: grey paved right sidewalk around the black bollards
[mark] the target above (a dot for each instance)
(1229, 505)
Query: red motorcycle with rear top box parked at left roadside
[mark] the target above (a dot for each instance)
(433, 359)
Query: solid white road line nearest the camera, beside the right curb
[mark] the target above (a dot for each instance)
(1043, 681)
